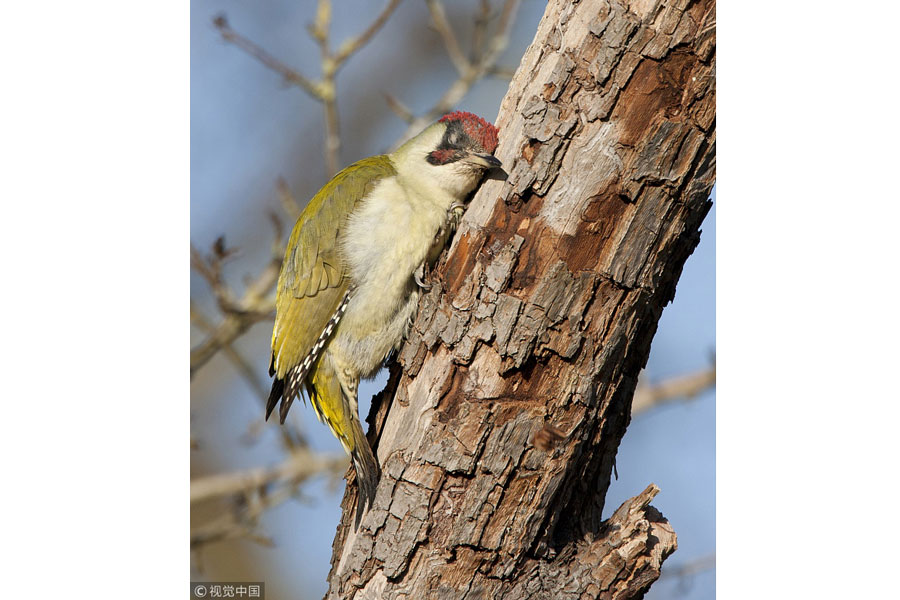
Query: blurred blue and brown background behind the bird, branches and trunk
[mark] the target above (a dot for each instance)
(249, 127)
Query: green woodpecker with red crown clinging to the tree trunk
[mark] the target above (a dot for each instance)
(349, 286)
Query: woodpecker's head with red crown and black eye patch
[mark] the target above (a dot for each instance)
(455, 152)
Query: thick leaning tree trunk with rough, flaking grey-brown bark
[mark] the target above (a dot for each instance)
(499, 428)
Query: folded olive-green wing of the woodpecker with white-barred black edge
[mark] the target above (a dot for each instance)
(313, 282)
